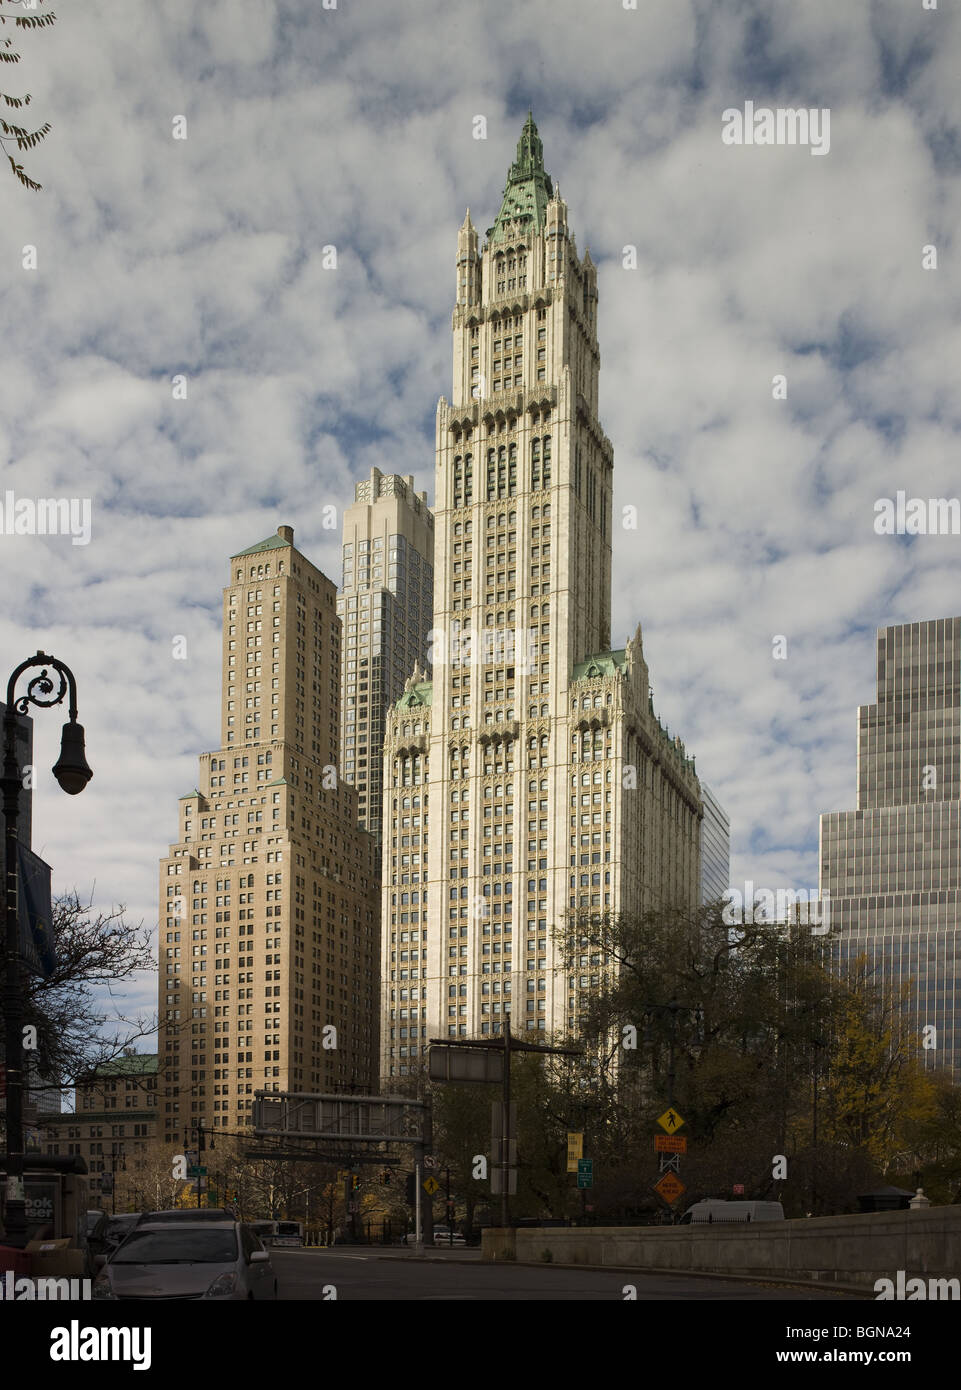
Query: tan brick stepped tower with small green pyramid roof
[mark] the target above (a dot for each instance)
(269, 910)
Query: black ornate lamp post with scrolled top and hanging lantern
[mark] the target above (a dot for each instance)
(73, 775)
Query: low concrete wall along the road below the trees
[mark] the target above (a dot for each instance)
(848, 1250)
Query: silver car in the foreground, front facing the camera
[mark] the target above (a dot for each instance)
(188, 1260)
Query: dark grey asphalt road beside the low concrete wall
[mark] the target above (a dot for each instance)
(403, 1275)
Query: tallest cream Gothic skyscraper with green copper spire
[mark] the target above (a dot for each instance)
(526, 776)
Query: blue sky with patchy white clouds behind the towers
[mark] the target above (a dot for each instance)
(355, 127)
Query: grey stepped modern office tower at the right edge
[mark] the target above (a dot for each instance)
(894, 867)
